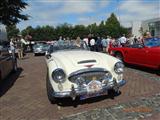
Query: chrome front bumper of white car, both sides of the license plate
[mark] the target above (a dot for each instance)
(78, 92)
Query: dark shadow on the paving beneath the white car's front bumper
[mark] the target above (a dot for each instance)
(69, 102)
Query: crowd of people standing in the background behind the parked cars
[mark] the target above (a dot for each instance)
(98, 44)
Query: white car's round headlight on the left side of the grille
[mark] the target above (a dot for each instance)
(58, 75)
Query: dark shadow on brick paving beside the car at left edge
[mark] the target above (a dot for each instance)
(7, 83)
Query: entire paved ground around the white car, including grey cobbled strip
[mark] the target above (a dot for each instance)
(23, 96)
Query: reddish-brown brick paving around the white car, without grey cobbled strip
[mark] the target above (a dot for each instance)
(23, 95)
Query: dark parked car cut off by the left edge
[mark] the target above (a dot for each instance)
(8, 62)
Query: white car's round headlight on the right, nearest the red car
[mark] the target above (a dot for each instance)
(119, 68)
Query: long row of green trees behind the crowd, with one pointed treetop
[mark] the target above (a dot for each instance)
(110, 27)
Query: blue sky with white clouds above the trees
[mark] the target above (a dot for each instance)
(55, 12)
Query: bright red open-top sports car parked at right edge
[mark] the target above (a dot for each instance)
(146, 54)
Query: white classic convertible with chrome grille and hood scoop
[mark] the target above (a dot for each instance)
(74, 71)
